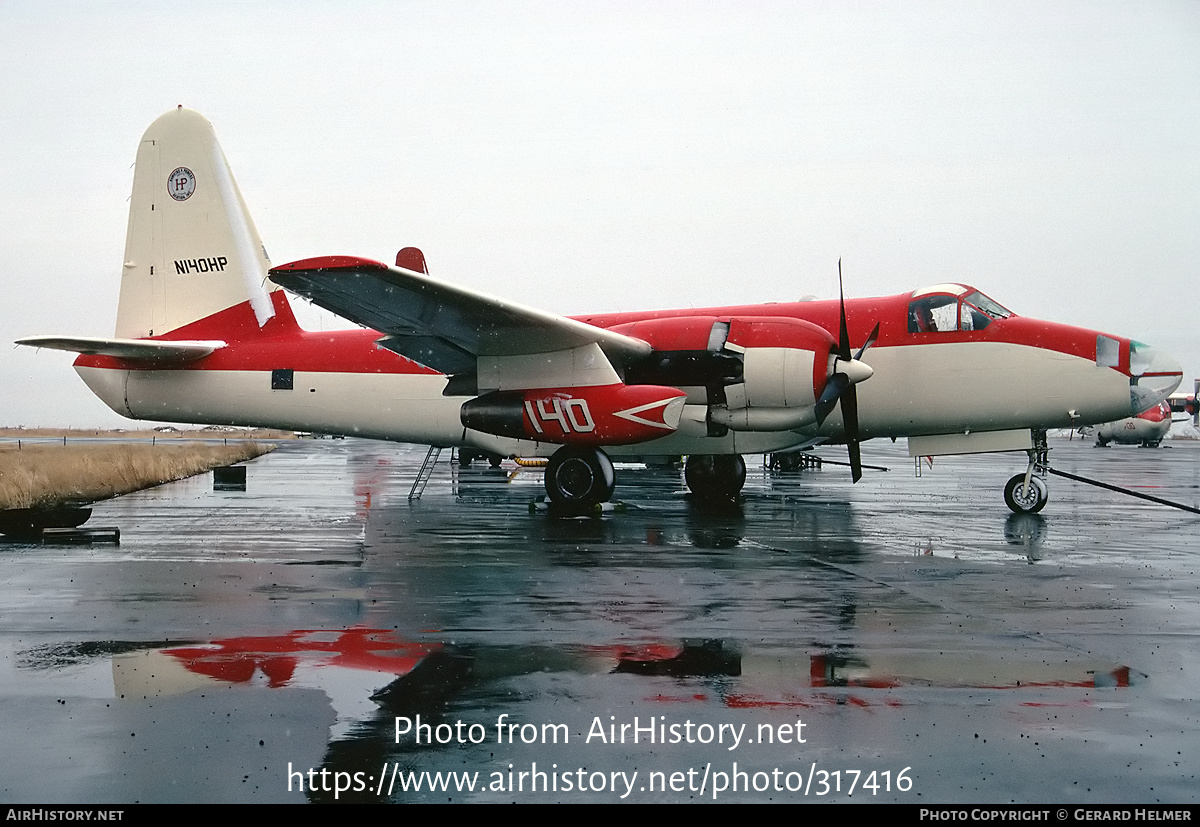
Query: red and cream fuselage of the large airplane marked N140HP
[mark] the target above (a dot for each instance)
(1013, 374)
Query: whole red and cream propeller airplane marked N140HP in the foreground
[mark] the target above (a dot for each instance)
(205, 334)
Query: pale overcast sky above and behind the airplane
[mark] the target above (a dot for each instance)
(586, 157)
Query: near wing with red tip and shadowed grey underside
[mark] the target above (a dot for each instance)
(437, 325)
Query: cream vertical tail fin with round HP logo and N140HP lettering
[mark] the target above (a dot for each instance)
(193, 249)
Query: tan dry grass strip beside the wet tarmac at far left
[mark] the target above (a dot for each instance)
(46, 475)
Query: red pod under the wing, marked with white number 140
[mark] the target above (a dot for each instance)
(595, 416)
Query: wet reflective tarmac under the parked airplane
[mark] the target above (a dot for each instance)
(907, 639)
